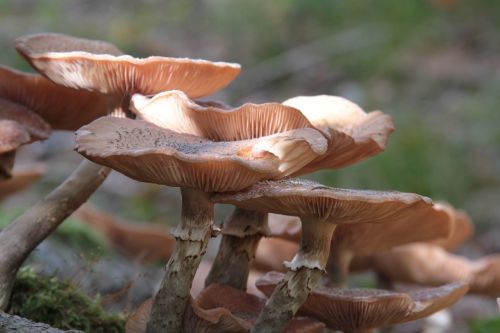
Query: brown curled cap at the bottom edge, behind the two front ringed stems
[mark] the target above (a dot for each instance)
(220, 308)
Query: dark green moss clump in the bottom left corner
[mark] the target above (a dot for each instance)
(59, 304)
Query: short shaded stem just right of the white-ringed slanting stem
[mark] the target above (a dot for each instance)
(338, 267)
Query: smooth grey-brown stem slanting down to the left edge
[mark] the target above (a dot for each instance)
(21, 237)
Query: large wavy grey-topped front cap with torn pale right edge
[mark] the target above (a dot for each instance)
(148, 153)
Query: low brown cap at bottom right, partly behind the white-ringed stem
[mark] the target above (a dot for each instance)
(363, 310)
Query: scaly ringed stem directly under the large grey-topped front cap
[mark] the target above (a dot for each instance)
(192, 236)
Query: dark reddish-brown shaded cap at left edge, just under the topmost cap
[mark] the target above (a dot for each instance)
(63, 108)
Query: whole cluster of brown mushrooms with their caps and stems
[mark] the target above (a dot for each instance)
(141, 117)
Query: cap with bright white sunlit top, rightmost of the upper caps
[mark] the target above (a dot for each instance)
(353, 134)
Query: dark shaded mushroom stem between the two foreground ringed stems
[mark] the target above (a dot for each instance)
(242, 233)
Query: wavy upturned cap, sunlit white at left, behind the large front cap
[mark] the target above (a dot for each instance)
(175, 111)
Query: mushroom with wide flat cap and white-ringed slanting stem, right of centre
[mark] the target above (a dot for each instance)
(320, 208)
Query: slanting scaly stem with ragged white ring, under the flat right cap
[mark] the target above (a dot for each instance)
(303, 274)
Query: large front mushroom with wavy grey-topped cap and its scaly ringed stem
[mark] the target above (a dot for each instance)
(148, 153)
